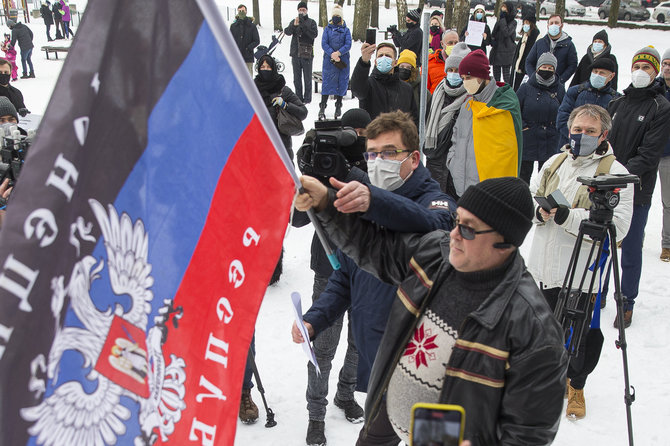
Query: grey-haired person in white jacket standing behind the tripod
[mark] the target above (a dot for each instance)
(588, 154)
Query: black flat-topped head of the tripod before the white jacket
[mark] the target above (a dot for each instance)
(604, 194)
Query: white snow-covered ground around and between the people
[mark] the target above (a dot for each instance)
(282, 365)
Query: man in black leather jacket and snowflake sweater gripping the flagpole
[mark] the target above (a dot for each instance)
(469, 325)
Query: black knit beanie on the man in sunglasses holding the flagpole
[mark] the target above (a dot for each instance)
(504, 204)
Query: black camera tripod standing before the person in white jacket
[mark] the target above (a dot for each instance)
(574, 307)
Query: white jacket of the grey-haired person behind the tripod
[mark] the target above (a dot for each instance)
(553, 244)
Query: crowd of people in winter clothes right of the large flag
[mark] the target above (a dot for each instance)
(441, 306)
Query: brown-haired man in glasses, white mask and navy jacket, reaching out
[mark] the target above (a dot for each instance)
(401, 197)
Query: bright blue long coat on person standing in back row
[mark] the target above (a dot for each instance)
(335, 38)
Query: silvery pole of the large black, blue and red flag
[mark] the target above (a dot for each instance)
(222, 35)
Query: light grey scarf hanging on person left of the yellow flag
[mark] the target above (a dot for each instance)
(440, 116)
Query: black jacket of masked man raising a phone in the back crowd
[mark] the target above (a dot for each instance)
(381, 93)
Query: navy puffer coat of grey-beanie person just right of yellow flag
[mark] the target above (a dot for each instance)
(539, 107)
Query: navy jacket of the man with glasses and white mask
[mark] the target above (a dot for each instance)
(417, 206)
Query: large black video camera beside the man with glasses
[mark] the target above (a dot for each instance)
(324, 152)
